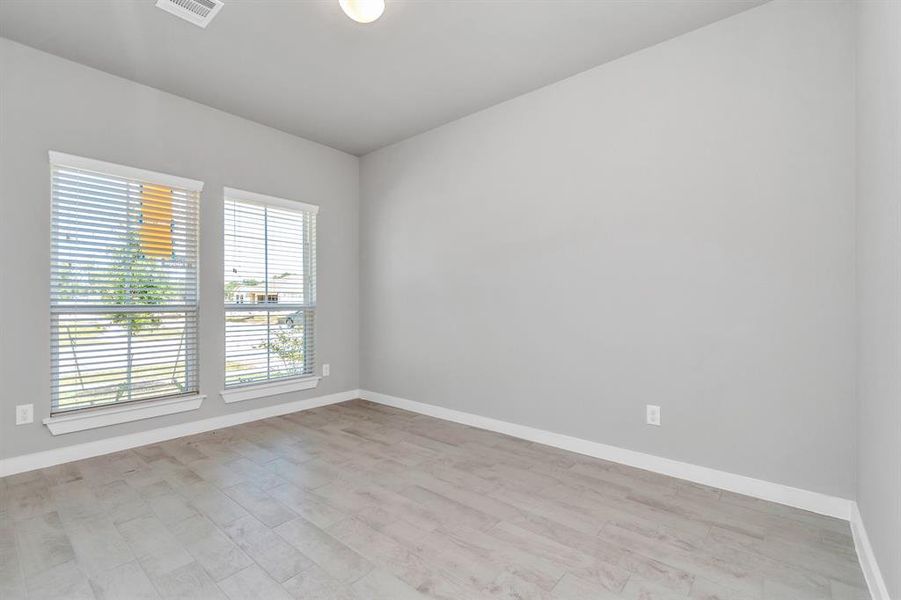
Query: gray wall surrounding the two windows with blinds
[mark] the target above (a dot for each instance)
(47, 103)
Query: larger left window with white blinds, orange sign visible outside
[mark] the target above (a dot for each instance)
(123, 284)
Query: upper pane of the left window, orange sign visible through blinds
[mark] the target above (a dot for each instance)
(121, 242)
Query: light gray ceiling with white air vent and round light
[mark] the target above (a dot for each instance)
(303, 67)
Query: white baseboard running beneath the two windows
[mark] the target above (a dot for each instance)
(56, 456)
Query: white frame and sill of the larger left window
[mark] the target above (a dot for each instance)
(120, 411)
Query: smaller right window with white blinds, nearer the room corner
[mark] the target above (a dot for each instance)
(270, 288)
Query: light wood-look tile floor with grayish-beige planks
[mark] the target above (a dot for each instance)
(361, 501)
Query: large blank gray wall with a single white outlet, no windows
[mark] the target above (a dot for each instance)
(675, 227)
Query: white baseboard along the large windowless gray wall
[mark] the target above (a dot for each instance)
(765, 490)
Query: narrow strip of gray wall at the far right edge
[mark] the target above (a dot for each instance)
(879, 281)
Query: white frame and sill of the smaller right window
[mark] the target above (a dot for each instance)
(236, 392)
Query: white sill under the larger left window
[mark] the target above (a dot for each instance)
(101, 417)
